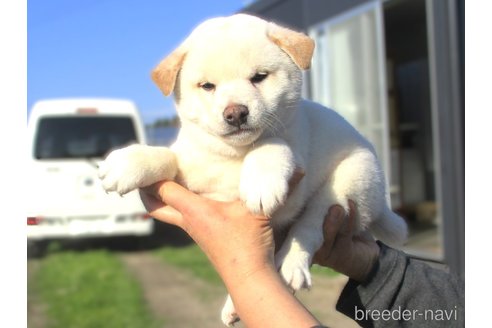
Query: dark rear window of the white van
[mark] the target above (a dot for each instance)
(82, 137)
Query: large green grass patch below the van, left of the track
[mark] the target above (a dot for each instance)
(90, 289)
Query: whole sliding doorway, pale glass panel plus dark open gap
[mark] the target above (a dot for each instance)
(371, 65)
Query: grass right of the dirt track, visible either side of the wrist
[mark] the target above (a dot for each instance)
(192, 259)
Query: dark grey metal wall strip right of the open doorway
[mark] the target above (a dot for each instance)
(447, 91)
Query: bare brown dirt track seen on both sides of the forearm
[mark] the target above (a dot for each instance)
(184, 301)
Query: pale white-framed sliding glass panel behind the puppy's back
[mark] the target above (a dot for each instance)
(348, 70)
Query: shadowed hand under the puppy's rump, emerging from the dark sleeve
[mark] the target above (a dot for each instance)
(342, 250)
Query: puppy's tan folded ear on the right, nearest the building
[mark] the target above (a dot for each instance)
(297, 45)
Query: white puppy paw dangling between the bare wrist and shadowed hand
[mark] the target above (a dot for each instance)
(294, 268)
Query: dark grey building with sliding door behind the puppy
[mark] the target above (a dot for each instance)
(395, 70)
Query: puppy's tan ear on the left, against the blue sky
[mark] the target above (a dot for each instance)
(164, 75)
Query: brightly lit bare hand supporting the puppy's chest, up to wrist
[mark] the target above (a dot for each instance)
(233, 239)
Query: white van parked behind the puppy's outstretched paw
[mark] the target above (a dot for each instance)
(67, 139)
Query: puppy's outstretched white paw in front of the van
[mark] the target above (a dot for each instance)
(123, 170)
